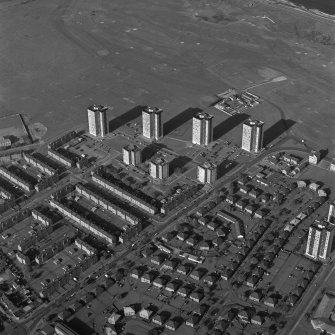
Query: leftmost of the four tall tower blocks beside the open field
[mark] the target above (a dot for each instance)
(97, 120)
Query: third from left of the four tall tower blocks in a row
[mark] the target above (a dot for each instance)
(202, 129)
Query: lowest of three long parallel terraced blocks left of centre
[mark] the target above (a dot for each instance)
(83, 223)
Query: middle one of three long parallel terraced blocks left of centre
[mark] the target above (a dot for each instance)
(106, 204)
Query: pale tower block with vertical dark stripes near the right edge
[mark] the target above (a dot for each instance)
(320, 240)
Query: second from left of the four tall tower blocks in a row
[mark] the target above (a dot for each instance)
(152, 123)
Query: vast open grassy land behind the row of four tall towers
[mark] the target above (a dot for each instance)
(175, 55)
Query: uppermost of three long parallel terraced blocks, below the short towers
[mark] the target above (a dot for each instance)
(121, 193)
